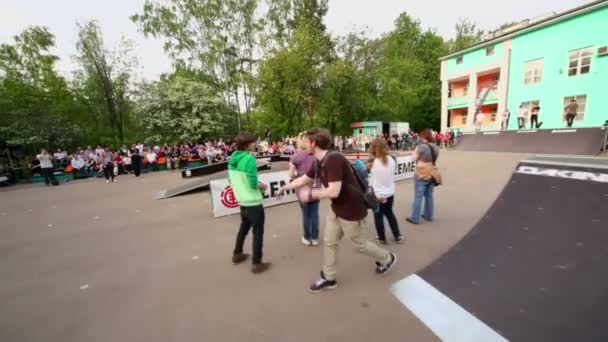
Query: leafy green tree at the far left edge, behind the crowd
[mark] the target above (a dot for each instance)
(36, 105)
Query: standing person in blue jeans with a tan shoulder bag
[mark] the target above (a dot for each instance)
(425, 156)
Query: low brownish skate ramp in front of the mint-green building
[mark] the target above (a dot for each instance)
(575, 141)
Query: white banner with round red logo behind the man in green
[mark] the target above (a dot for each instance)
(224, 202)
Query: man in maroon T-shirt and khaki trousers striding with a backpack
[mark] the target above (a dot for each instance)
(349, 204)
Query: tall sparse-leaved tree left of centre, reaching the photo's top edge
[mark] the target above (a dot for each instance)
(218, 37)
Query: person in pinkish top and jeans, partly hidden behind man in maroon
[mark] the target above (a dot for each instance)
(299, 165)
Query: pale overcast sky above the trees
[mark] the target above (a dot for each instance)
(60, 16)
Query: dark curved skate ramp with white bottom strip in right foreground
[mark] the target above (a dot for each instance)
(532, 269)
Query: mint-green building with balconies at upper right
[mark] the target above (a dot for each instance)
(544, 62)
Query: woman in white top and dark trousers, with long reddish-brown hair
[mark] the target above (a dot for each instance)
(383, 181)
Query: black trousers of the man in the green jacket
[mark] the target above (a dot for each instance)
(251, 217)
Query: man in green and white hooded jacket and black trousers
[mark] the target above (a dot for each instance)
(242, 173)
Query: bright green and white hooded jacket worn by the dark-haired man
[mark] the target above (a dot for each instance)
(242, 173)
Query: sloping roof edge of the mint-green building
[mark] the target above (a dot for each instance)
(530, 25)
